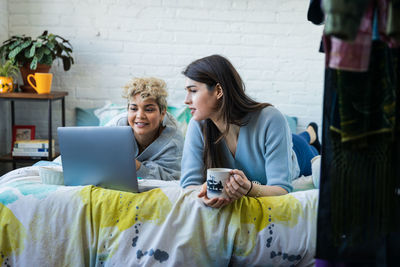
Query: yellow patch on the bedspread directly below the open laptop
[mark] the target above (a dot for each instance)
(113, 212)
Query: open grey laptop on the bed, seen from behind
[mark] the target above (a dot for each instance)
(100, 156)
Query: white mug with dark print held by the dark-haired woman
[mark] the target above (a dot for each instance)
(216, 182)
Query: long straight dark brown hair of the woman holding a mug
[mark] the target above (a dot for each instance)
(234, 104)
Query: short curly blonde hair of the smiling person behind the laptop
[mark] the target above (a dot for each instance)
(148, 87)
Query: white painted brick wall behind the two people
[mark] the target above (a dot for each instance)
(270, 42)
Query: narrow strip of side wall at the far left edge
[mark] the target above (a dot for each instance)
(4, 107)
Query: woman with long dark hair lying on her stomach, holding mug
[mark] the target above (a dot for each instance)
(229, 129)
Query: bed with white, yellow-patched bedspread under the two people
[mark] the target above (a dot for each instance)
(55, 225)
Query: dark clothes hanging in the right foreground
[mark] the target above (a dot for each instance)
(359, 206)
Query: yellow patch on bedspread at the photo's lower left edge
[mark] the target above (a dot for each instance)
(12, 235)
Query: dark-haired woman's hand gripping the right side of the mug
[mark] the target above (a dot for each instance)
(238, 185)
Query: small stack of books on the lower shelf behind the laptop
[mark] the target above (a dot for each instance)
(32, 148)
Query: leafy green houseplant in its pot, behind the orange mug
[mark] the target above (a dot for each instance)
(36, 55)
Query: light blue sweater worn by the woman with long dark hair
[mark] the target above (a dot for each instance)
(264, 151)
